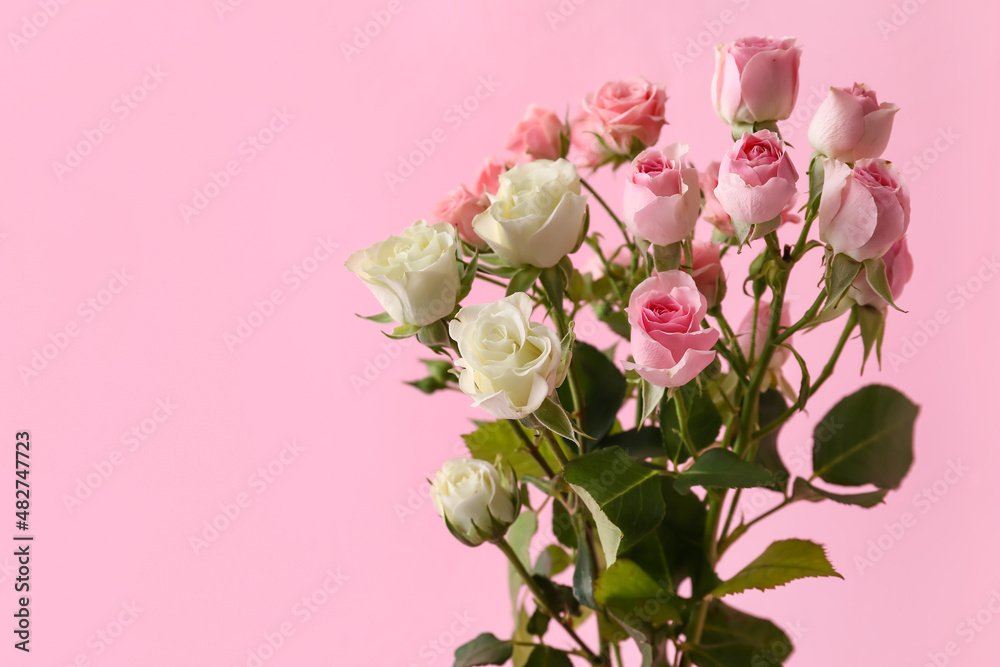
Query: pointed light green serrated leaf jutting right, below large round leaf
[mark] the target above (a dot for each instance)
(782, 562)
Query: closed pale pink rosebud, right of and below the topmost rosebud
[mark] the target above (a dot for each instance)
(851, 125)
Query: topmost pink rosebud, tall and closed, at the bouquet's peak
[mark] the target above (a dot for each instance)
(756, 79)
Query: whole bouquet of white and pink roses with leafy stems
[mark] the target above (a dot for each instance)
(637, 454)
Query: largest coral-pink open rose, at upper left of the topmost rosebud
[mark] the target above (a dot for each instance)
(627, 110)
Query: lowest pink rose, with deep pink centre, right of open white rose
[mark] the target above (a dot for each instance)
(669, 345)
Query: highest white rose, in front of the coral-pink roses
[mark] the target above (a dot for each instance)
(537, 215)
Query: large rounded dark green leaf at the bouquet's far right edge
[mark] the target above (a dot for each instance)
(867, 438)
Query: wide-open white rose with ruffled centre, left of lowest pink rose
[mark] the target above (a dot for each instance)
(509, 363)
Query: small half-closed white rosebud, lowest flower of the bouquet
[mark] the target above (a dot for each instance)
(474, 500)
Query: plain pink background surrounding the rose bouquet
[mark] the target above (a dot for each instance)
(405, 592)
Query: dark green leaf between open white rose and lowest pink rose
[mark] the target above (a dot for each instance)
(603, 387)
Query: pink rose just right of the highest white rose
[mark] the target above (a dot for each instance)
(662, 196)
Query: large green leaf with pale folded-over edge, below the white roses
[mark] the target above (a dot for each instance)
(623, 496)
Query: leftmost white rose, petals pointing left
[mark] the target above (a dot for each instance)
(413, 275)
